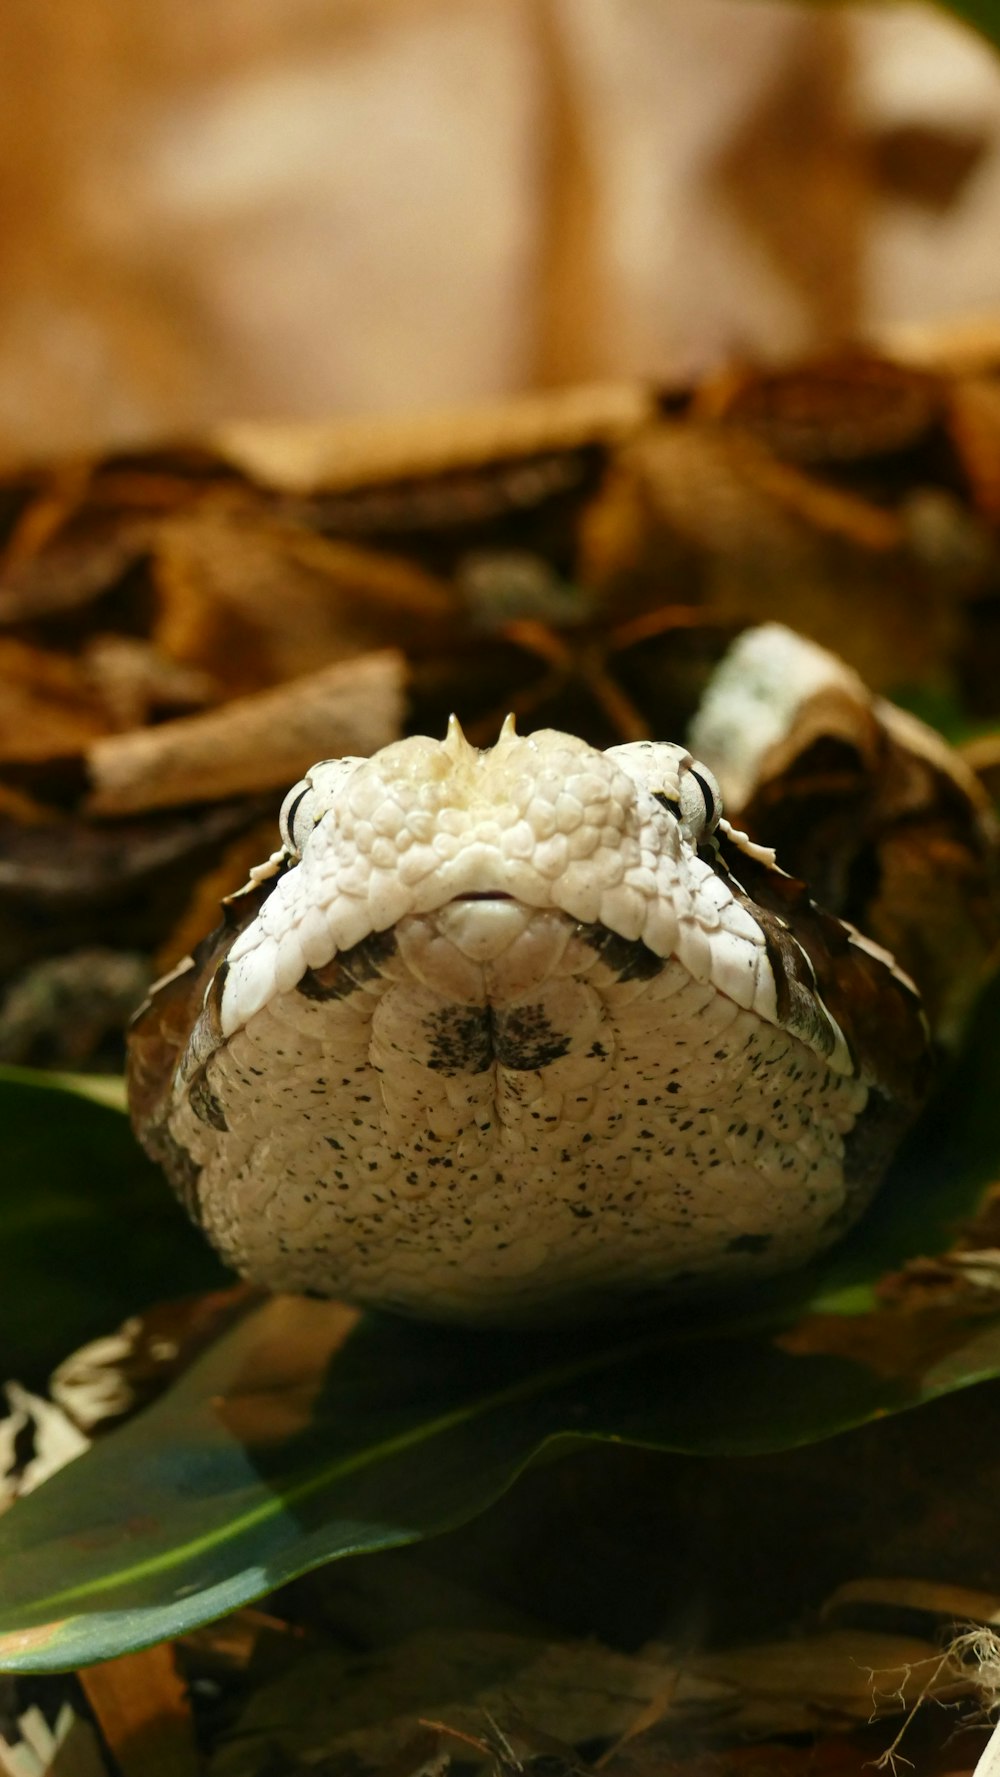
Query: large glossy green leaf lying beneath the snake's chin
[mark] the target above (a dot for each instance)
(310, 1433)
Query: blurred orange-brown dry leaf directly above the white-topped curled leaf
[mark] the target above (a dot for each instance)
(713, 511)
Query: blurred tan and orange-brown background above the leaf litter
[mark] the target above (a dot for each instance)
(310, 207)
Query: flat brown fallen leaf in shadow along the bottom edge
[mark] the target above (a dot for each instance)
(335, 1707)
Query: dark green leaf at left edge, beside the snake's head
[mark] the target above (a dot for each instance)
(90, 1232)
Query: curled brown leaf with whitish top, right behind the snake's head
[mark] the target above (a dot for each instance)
(887, 825)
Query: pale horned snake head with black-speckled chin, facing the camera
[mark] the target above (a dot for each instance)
(525, 1033)
